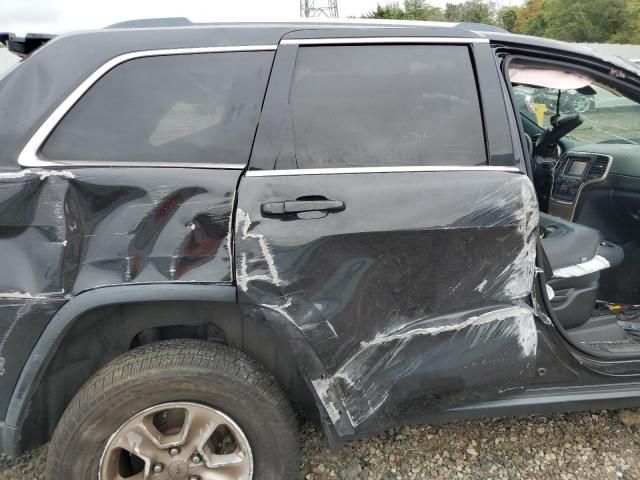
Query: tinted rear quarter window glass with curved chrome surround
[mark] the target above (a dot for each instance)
(200, 108)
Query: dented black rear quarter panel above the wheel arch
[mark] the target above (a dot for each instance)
(66, 231)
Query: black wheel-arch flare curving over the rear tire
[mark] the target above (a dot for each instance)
(65, 318)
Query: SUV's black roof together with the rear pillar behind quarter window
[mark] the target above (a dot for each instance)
(67, 60)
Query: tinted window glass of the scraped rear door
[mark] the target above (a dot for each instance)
(359, 106)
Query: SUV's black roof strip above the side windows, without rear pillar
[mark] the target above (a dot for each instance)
(179, 32)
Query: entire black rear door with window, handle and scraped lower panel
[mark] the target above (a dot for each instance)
(373, 232)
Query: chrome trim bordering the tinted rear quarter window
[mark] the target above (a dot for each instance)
(29, 156)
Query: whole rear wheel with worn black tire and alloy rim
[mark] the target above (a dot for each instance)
(181, 409)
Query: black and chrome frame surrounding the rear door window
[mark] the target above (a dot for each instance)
(264, 159)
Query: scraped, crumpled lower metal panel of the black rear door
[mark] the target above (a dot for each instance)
(384, 311)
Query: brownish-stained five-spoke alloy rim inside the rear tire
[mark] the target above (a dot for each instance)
(178, 441)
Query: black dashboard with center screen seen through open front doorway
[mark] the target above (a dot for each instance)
(598, 185)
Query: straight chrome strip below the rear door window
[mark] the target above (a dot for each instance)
(352, 170)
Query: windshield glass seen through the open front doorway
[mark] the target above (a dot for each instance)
(608, 116)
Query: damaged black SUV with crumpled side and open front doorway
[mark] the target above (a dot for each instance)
(209, 228)
